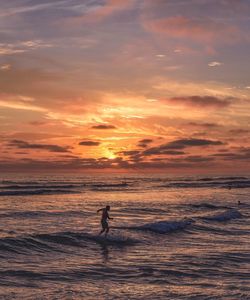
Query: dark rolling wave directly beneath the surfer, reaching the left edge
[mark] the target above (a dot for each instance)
(51, 241)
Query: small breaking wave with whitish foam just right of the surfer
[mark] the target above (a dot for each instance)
(162, 227)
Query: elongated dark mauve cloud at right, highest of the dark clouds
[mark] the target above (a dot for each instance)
(200, 101)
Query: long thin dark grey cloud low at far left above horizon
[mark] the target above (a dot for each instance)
(25, 145)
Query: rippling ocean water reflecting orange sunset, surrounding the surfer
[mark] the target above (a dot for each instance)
(171, 238)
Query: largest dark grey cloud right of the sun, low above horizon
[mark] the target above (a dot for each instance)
(179, 145)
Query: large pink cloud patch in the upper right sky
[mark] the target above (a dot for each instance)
(197, 29)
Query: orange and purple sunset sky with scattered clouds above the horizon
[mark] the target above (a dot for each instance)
(125, 86)
